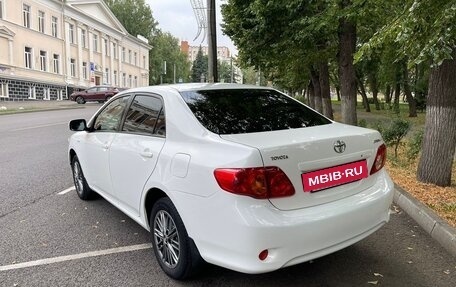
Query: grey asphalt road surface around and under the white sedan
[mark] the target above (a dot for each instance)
(53, 239)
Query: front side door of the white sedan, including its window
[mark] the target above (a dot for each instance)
(98, 142)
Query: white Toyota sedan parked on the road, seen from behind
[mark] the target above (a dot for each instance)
(243, 177)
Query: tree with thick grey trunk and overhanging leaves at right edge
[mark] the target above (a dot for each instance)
(422, 33)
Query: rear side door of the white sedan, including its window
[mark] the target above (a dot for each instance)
(134, 151)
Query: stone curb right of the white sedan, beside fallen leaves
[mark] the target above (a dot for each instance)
(433, 224)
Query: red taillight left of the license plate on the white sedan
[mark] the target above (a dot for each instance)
(257, 182)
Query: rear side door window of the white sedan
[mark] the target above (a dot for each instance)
(145, 116)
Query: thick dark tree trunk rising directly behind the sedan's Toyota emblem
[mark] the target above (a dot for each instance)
(347, 75)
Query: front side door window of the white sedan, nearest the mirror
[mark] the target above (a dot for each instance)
(110, 117)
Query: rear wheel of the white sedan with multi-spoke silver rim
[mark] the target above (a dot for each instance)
(175, 252)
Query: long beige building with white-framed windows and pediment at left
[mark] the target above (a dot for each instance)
(48, 48)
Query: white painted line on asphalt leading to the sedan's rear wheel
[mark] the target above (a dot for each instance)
(76, 256)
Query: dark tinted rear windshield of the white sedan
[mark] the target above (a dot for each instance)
(249, 110)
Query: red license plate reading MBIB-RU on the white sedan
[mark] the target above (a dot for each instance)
(334, 176)
